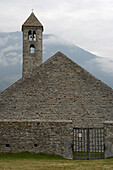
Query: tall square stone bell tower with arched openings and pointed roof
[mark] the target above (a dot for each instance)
(32, 44)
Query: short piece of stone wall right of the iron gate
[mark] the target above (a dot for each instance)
(108, 133)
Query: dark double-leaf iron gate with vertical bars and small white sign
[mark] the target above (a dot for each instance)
(88, 143)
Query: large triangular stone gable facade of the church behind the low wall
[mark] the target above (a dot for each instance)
(59, 89)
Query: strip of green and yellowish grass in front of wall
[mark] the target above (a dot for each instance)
(27, 161)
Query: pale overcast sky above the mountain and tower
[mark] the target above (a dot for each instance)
(86, 23)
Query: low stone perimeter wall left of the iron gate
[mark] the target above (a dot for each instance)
(52, 137)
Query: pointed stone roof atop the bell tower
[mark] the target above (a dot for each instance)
(32, 21)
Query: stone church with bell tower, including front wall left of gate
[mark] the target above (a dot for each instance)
(39, 111)
